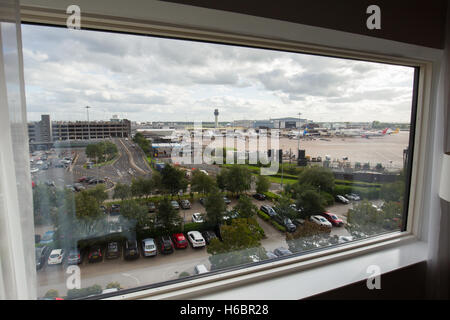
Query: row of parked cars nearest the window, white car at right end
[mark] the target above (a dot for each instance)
(129, 248)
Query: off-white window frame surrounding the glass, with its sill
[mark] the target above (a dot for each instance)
(174, 20)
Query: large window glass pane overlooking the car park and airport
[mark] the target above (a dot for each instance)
(157, 159)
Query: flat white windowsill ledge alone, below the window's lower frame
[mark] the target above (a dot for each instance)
(310, 282)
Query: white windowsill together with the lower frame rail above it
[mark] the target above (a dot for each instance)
(299, 280)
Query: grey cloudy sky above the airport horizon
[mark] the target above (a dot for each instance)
(155, 79)
